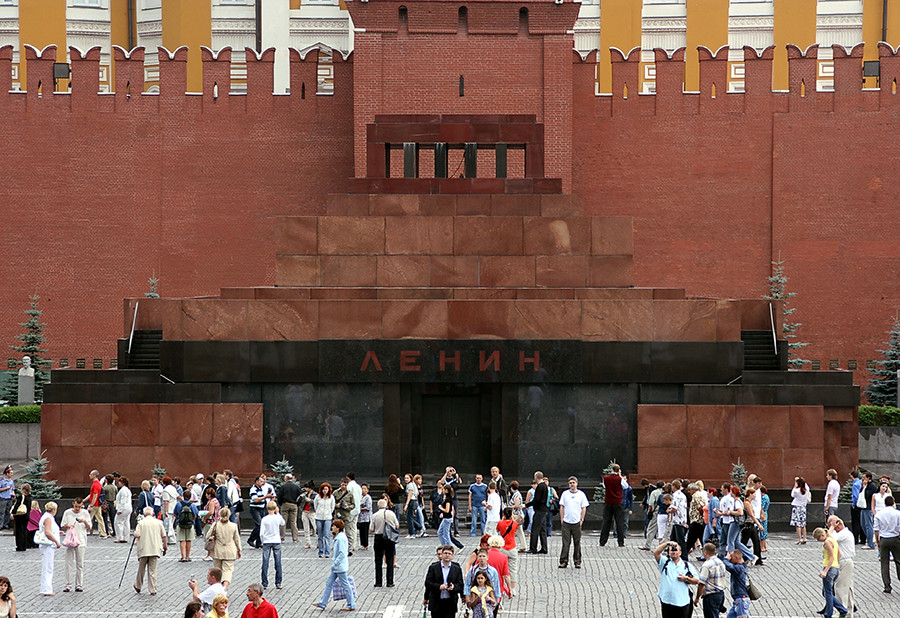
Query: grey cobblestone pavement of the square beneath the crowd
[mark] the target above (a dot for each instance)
(620, 582)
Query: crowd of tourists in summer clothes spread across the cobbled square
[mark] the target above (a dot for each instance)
(680, 517)
